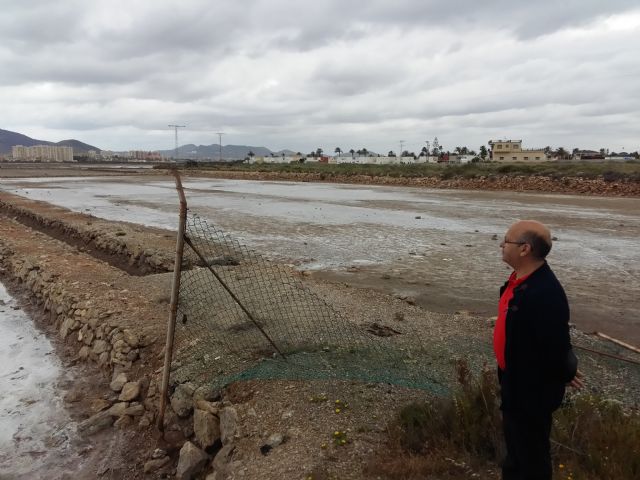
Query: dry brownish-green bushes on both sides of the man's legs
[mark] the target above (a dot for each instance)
(461, 437)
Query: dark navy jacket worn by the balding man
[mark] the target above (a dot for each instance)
(538, 346)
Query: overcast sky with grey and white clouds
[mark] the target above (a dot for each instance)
(303, 74)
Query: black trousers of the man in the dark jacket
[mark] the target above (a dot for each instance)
(528, 446)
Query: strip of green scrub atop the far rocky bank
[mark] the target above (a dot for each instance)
(609, 171)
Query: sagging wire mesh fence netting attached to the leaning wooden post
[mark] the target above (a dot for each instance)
(294, 333)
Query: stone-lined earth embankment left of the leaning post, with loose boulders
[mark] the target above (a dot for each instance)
(115, 323)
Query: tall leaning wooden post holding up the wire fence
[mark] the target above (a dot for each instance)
(175, 290)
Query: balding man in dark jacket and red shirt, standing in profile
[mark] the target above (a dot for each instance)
(533, 351)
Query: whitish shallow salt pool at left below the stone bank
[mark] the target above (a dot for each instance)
(35, 429)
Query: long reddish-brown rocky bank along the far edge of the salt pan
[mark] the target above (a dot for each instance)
(518, 183)
